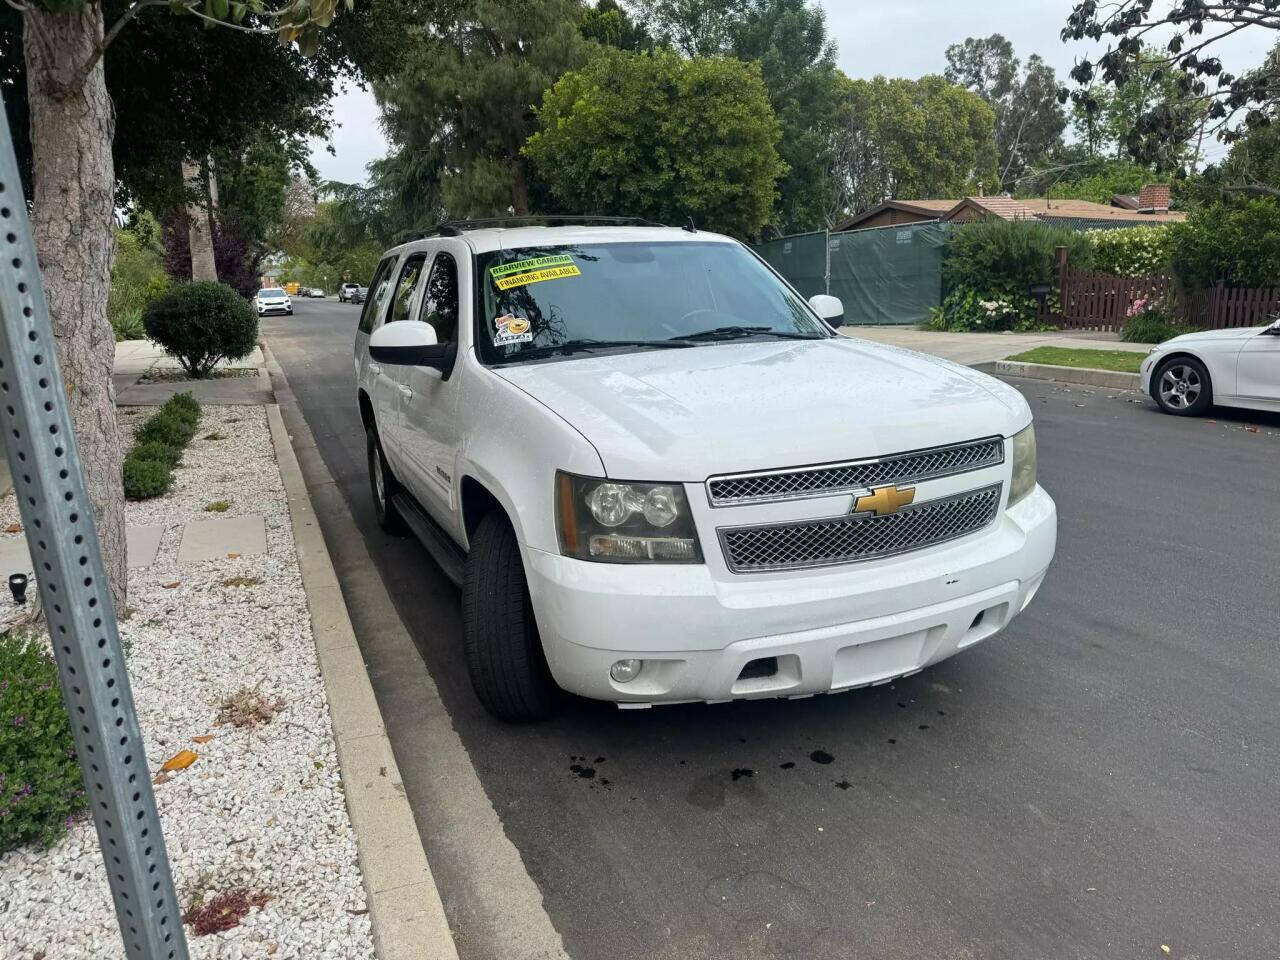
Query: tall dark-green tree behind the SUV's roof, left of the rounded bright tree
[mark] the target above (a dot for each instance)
(464, 95)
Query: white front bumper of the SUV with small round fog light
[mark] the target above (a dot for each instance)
(820, 630)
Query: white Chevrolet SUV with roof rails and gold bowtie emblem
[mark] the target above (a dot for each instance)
(660, 477)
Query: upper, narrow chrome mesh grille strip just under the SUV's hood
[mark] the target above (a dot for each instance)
(856, 476)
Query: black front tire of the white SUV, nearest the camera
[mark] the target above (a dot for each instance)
(505, 655)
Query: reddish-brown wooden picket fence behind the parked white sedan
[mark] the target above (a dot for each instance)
(1095, 301)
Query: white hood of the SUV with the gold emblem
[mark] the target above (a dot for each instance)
(726, 408)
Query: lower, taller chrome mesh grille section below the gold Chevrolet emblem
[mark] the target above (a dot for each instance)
(816, 543)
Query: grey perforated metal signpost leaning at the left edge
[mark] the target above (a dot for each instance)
(58, 518)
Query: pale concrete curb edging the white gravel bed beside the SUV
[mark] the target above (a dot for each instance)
(405, 906)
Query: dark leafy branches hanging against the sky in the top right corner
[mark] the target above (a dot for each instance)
(1190, 36)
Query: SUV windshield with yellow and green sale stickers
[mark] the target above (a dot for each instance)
(541, 301)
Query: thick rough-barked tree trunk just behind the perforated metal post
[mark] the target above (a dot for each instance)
(74, 202)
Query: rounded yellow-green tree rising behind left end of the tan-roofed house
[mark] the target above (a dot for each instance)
(909, 139)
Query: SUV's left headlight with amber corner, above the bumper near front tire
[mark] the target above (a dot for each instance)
(625, 523)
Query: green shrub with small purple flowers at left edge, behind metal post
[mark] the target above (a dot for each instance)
(40, 781)
